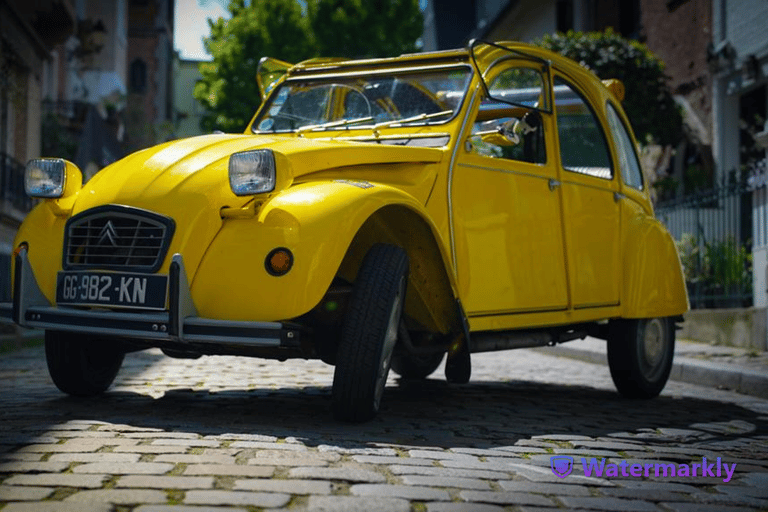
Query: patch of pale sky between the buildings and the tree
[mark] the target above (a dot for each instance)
(190, 25)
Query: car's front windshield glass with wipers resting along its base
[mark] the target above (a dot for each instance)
(343, 103)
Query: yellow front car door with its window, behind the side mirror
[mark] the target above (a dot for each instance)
(506, 209)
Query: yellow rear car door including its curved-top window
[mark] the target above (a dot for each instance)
(590, 199)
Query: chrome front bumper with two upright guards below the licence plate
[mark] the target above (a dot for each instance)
(178, 325)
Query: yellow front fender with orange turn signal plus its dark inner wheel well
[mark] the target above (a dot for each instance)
(329, 226)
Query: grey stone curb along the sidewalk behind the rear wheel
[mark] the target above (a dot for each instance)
(686, 369)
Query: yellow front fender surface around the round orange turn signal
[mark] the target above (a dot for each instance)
(318, 222)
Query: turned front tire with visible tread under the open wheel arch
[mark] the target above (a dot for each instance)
(369, 334)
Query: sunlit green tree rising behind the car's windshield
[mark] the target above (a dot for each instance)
(293, 31)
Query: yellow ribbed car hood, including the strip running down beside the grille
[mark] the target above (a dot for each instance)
(187, 180)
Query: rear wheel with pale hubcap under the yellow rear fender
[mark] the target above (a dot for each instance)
(640, 355)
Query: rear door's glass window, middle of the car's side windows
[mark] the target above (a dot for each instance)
(583, 146)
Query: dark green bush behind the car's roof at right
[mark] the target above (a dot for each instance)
(648, 101)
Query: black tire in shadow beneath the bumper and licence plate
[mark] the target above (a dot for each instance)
(81, 365)
